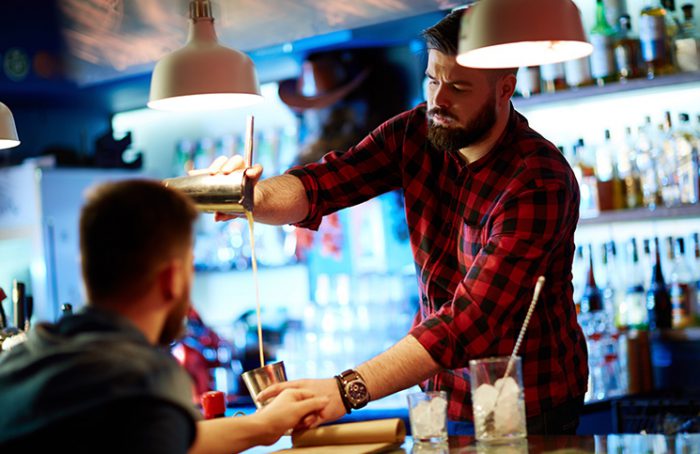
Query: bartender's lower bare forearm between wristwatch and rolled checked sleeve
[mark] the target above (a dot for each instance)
(405, 364)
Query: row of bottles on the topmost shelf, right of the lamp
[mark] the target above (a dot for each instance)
(667, 43)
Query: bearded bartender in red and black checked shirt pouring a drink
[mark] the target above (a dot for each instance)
(491, 205)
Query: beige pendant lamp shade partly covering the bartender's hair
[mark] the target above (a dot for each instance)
(516, 33)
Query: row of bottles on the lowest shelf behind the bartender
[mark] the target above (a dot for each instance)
(642, 288)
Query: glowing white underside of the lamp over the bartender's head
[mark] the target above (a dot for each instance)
(529, 53)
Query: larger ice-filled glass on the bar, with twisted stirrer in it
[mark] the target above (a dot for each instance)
(498, 400)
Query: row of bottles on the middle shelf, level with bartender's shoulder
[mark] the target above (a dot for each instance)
(652, 166)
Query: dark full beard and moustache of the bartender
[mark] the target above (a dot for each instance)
(457, 137)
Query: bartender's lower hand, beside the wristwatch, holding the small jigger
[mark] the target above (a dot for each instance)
(327, 388)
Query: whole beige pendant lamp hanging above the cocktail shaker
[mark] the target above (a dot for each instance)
(203, 75)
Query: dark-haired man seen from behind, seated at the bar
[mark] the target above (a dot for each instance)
(102, 380)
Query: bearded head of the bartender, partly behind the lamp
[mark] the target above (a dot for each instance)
(463, 103)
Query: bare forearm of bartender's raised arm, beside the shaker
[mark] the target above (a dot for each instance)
(280, 200)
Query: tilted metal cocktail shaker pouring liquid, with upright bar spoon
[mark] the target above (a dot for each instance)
(231, 193)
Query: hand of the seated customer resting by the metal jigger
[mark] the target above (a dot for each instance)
(291, 409)
